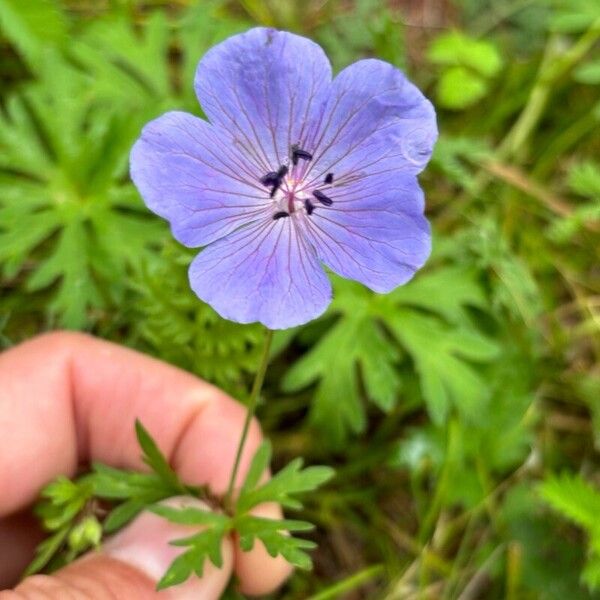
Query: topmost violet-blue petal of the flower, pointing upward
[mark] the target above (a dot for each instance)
(260, 86)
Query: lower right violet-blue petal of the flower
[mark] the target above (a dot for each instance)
(374, 232)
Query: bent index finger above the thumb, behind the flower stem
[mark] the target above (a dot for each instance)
(67, 398)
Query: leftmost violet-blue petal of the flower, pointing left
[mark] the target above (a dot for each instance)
(188, 174)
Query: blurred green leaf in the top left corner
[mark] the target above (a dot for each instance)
(32, 25)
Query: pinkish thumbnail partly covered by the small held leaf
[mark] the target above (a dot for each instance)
(144, 544)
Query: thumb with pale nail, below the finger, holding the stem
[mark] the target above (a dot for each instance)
(128, 568)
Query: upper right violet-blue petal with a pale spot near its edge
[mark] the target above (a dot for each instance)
(373, 116)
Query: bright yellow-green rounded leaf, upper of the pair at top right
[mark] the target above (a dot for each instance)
(456, 49)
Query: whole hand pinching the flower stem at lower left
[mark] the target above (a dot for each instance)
(67, 399)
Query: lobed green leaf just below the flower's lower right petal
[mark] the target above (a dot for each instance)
(428, 320)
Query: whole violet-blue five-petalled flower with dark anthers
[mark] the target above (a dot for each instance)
(292, 171)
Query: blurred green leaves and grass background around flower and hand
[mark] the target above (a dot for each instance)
(462, 411)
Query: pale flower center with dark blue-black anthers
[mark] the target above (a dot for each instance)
(288, 192)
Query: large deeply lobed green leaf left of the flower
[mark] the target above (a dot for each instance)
(63, 194)
